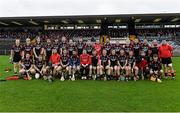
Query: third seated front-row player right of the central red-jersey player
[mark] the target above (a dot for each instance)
(113, 64)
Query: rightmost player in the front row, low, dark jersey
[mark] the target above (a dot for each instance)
(155, 69)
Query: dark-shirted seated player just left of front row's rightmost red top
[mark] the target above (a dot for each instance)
(132, 68)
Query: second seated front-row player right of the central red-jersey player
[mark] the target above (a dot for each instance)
(104, 65)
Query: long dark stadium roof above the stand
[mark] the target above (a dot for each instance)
(90, 19)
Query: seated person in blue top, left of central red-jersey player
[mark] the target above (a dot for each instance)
(74, 65)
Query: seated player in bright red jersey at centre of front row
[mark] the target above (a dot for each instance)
(85, 61)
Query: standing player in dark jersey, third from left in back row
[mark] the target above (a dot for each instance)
(38, 49)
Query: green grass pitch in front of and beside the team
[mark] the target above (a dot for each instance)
(88, 96)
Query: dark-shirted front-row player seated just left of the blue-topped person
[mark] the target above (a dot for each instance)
(64, 65)
